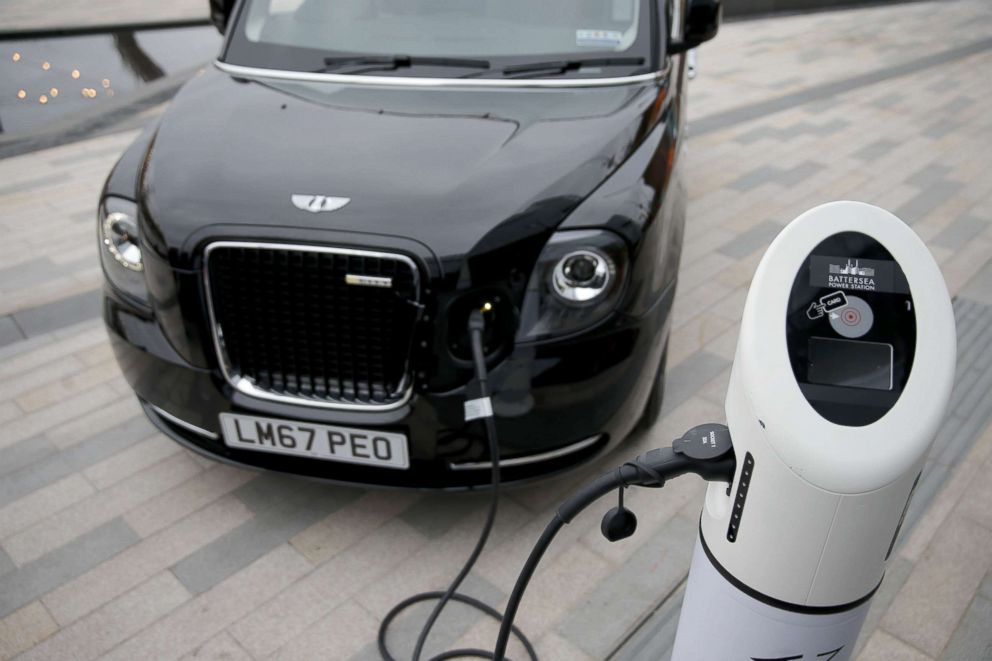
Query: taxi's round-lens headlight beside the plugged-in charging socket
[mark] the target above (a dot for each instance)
(576, 283)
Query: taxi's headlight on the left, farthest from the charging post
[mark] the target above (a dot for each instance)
(120, 252)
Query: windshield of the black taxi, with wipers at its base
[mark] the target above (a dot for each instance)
(451, 38)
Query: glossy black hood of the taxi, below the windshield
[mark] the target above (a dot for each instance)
(446, 167)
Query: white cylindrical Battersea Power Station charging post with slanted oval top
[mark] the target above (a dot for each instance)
(844, 366)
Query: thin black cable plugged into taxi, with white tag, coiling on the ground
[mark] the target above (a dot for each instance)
(478, 408)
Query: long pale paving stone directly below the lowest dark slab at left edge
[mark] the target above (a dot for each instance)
(75, 598)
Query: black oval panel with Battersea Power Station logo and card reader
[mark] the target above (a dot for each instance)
(850, 329)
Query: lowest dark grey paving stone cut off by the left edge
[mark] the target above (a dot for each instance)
(38, 577)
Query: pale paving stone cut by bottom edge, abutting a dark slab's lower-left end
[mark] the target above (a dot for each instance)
(99, 632)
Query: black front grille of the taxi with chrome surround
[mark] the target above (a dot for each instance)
(287, 324)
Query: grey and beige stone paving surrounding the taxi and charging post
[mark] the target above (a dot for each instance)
(116, 542)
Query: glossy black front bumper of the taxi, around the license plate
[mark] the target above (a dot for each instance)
(556, 404)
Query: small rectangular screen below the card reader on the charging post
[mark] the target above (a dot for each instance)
(850, 363)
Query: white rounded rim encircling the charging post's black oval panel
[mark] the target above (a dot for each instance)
(834, 457)
